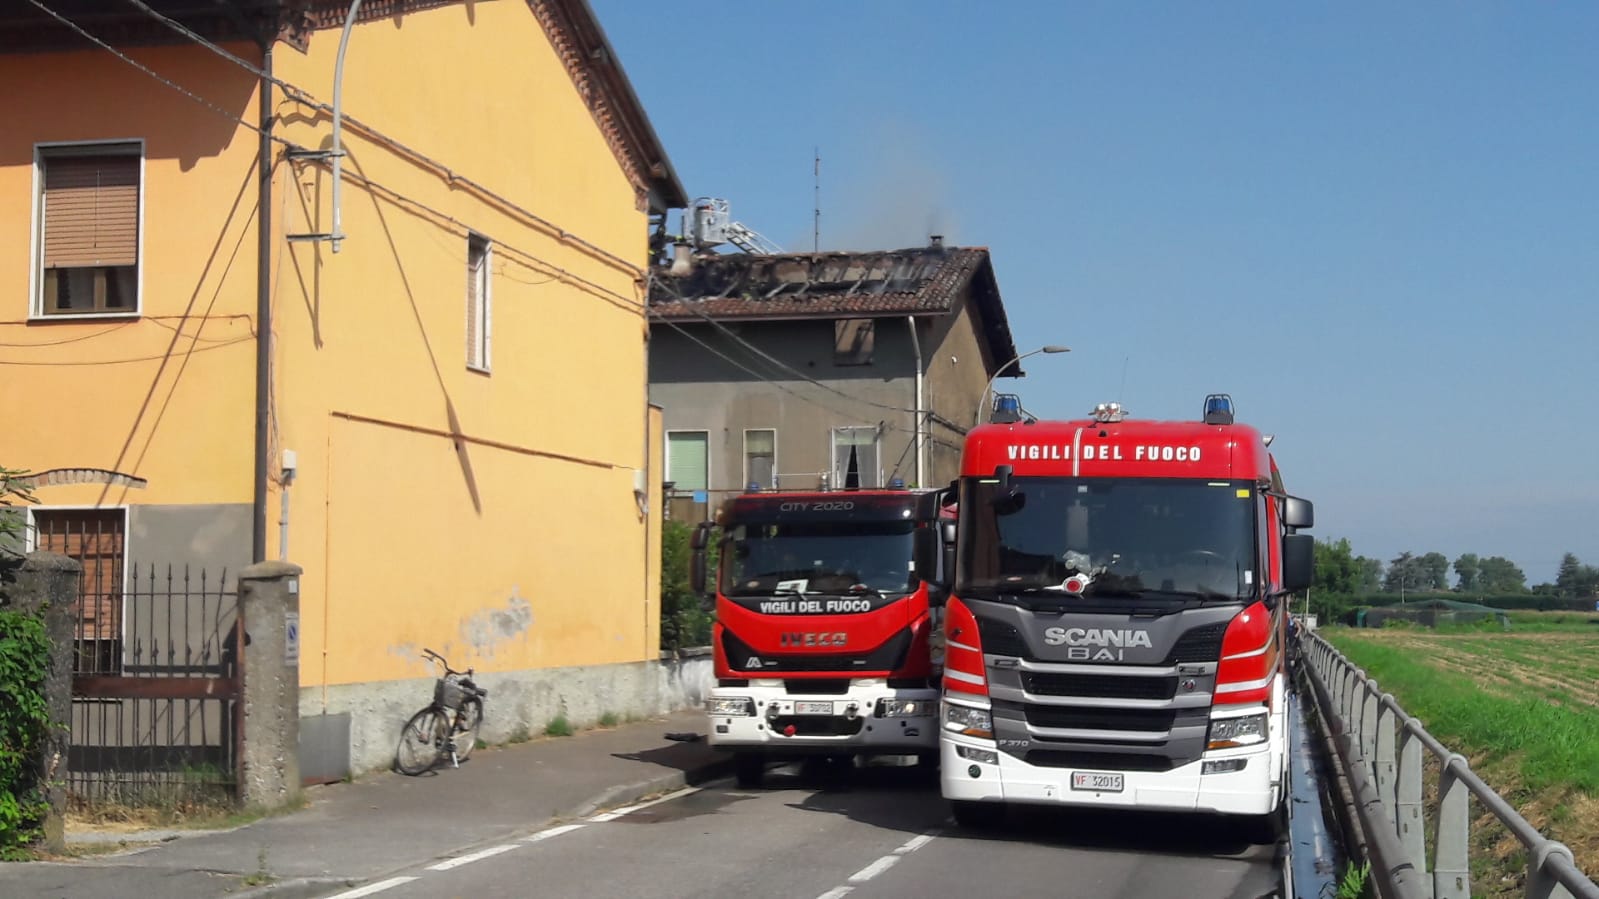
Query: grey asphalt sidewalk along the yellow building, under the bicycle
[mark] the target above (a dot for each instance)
(359, 833)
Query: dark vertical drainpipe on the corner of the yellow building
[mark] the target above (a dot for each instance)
(263, 305)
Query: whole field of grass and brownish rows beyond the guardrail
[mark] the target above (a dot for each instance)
(1521, 705)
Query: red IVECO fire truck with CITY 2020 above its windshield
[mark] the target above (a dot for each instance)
(826, 625)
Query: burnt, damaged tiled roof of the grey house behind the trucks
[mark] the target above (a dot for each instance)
(927, 281)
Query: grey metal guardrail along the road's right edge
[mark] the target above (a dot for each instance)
(1382, 756)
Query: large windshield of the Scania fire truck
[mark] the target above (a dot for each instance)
(1130, 537)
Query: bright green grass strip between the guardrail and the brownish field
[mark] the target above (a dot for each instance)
(1552, 745)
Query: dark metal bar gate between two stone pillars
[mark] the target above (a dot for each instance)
(156, 714)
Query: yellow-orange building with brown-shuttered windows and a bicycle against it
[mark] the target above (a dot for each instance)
(423, 378)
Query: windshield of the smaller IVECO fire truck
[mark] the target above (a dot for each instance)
(818, 557)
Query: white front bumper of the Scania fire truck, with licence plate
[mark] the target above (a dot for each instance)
(973, 770)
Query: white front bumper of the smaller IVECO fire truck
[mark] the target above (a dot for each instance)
(797, 724)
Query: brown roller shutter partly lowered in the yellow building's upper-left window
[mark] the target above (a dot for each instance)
(92, 212)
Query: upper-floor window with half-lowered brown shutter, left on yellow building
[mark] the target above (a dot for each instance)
(89, 225)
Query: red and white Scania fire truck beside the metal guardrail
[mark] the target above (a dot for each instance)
(1117, 633)
